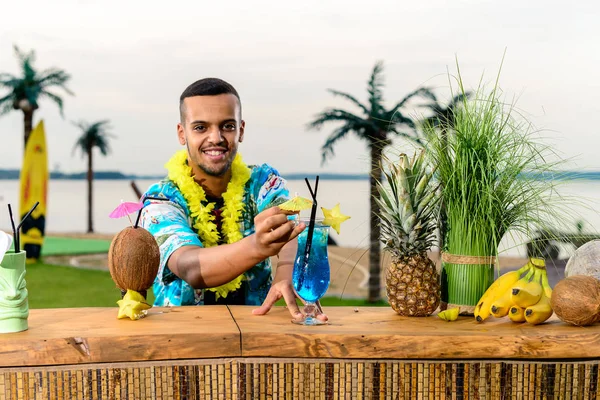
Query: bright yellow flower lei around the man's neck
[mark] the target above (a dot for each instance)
(181, 174)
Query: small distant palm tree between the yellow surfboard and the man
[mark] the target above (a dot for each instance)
(92, 135)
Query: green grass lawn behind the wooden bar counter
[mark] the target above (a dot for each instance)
(53, 286)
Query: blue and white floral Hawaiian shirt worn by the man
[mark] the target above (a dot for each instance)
(170, 223)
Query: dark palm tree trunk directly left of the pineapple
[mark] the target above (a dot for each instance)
(374, 247)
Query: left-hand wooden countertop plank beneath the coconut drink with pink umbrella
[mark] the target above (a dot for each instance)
(91, 335)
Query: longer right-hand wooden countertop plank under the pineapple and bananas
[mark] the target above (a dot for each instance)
(379, 333)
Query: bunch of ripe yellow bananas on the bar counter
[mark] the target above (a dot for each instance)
(522, 295)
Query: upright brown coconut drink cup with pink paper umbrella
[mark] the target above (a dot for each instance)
(133, 259)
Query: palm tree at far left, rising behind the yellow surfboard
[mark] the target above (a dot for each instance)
(26, 90)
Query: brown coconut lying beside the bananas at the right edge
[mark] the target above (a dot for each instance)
(576, 300)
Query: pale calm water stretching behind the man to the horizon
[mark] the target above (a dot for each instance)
(67, 207)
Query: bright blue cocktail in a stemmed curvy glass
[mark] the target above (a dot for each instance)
(311, 273)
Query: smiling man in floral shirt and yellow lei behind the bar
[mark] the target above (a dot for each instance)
(219, 223)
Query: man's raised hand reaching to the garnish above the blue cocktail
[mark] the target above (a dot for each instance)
(273, 230)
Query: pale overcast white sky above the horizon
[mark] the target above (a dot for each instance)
(131, 60)
